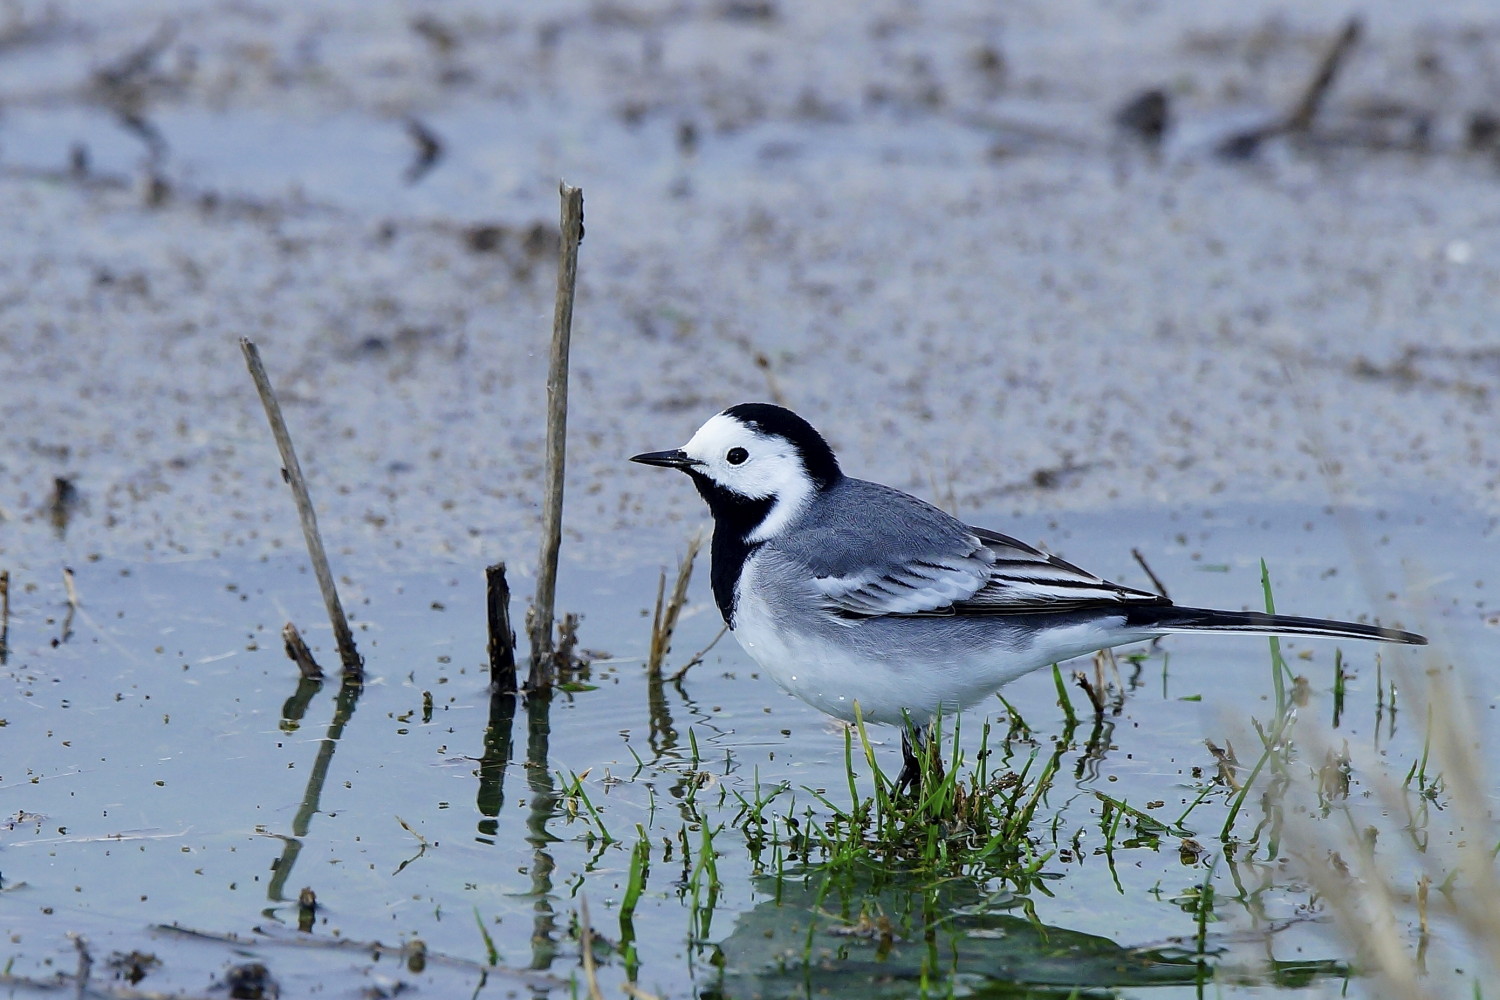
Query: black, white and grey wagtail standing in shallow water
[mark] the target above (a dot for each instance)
(850, 593)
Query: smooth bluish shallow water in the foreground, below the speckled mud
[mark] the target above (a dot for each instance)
(161, 774)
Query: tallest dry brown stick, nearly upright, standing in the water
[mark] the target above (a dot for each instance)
(544, 609)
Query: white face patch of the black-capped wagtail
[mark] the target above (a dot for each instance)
(754, 466)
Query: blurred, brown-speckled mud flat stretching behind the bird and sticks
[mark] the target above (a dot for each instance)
(917, 224)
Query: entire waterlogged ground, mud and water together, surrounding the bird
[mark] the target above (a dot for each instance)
(1234, 332)
